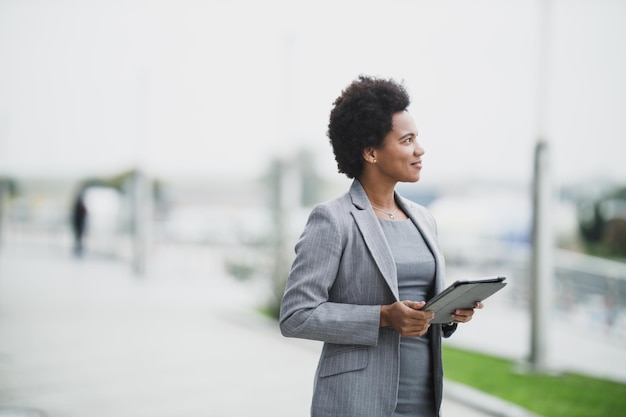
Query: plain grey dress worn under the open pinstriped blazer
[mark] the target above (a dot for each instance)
(416, 274)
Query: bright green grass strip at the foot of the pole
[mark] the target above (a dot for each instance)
(564, 395)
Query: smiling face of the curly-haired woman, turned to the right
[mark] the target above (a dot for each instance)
(400, 156)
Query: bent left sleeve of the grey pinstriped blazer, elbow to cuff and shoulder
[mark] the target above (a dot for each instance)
(306, 309)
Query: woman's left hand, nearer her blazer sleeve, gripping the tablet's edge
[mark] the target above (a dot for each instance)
(406, 317)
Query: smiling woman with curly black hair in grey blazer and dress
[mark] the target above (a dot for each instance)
(364, 265)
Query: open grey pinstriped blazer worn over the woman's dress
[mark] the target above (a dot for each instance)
(342, 273)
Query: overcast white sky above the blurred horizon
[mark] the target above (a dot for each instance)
(217, 88)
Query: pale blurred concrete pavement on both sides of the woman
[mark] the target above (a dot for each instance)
(88, 338)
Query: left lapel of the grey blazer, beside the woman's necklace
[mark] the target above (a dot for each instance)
(373, 236)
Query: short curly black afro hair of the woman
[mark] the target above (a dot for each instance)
(361, 118)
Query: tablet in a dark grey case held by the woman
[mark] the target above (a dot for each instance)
(462, 295)
